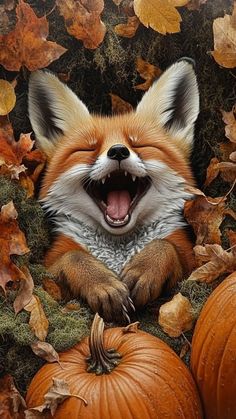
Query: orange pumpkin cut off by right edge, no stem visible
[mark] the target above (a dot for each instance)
(213, 358)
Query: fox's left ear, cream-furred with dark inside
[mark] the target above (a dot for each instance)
(54, 109)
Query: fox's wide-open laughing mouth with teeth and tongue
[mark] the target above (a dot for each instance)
(117, 195)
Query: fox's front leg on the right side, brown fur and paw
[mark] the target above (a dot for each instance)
(162, 261)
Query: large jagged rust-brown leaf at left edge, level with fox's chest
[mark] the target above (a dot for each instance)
(12, 242)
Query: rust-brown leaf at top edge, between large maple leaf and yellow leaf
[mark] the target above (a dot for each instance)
(82, 20)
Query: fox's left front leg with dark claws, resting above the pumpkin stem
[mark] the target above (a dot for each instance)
(84, 276)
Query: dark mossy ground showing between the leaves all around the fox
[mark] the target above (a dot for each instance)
(93, 75)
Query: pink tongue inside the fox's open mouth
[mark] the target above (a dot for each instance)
(118, 203)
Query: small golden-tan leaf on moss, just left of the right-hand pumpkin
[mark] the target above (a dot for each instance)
(176, 316)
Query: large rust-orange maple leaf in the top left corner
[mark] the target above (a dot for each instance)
(26, 45)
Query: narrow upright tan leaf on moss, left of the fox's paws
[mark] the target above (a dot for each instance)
(25, 291)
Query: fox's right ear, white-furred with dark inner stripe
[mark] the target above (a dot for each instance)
(173, 100)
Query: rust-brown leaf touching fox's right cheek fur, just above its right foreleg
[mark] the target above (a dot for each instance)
(205, 215)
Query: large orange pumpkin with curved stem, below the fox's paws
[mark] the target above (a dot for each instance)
(142, 378)
